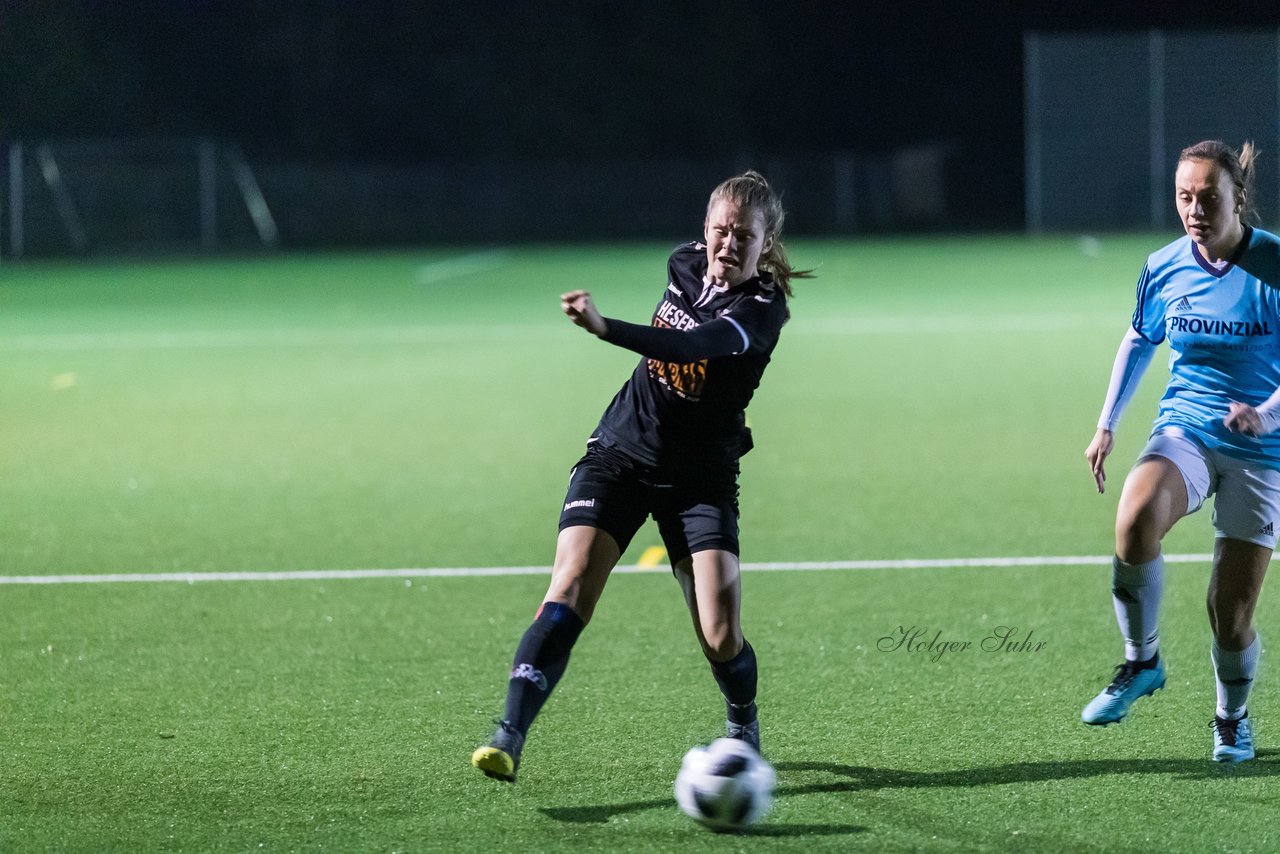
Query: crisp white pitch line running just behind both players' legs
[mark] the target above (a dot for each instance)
(326, 576)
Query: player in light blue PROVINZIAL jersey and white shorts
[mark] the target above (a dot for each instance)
(1213, 295)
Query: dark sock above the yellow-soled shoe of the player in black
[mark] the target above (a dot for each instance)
(541, 661)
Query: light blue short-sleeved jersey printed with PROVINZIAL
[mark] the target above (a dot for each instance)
(1224, 334)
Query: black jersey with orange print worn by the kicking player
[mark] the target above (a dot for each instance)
(683, 412)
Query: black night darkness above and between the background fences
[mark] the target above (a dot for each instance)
(569, 83)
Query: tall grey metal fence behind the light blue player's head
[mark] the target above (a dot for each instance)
(1107, 117)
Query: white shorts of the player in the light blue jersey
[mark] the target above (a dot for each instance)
(1247, 506)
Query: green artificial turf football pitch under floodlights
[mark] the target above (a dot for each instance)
(931, 399)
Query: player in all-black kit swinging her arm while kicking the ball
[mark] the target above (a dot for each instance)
(669, 446)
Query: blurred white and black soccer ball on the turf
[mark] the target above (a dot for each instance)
(725, 786)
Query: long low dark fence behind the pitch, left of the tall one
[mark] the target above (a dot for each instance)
(112, 197)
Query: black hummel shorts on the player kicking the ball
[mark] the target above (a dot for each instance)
(694, 513)
